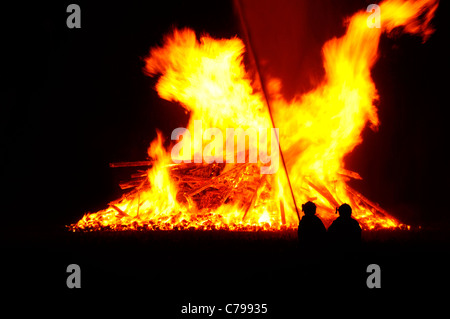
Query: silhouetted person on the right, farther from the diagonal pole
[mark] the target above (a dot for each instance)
(345, 233)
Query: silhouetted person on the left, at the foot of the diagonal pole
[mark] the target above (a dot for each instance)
(311, 231)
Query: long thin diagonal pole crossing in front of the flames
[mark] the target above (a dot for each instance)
(263, 87)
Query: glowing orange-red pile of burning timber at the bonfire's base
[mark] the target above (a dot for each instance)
(204, 188)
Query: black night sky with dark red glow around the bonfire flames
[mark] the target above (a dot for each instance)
(75, 100)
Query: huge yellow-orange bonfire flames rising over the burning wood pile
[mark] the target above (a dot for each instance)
(207, 77)
